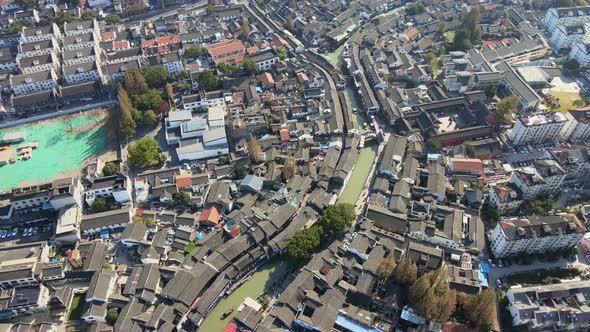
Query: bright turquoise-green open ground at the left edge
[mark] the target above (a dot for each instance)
(58, 151)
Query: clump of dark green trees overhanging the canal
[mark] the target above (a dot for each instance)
(332, 224)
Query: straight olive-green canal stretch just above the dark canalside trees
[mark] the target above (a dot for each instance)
(357, 180)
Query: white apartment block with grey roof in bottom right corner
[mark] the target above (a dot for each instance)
(558, 307)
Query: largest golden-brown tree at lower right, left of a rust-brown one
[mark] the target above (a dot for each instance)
(432, 297)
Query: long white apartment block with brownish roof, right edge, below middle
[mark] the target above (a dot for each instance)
(536, 235)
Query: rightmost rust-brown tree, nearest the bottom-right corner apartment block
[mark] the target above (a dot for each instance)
(479, 309)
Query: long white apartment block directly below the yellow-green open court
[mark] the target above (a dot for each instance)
(537, 128)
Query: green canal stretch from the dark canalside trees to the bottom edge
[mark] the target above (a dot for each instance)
(264, 278)
